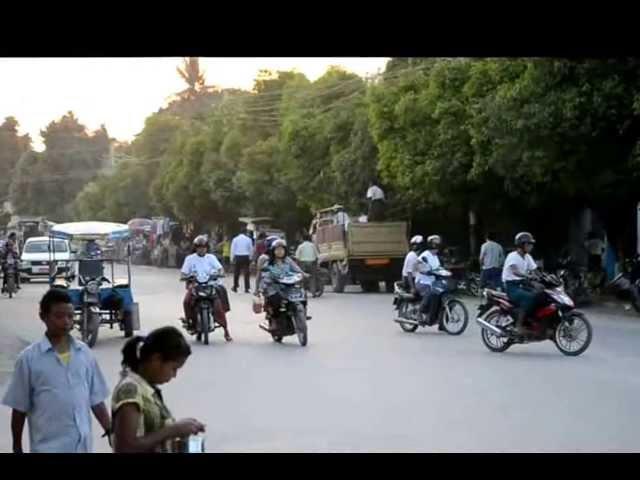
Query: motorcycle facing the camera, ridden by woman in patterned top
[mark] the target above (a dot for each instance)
(291, 319)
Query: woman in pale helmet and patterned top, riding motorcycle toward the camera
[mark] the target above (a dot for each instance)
(279, 264)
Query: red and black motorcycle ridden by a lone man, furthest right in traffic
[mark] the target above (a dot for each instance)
(557, 320)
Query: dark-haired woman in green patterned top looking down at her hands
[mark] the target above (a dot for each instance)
(141, 420)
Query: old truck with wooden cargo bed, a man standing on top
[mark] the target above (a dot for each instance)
(359, 252)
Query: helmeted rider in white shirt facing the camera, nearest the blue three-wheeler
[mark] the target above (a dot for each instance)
(202, 265)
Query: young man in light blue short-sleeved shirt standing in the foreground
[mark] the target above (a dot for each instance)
(55, 385)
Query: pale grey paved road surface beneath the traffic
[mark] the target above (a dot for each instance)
(364, 385)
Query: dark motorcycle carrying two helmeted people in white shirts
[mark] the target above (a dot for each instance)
(452, 313)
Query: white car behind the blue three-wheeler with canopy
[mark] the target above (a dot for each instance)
(34, 261)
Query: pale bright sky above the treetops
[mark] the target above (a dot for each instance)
(122, 92)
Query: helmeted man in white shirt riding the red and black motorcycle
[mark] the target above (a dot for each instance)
(518, 267)
